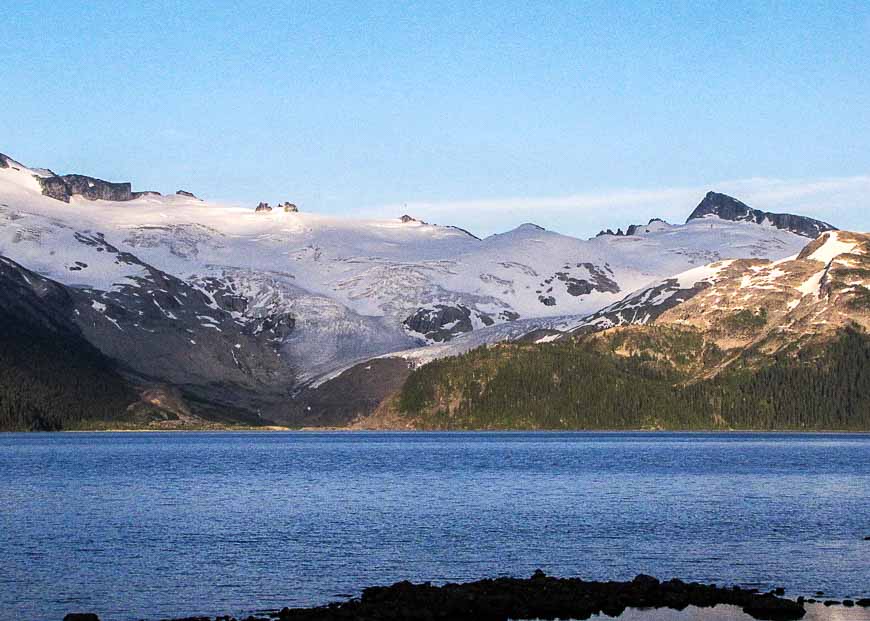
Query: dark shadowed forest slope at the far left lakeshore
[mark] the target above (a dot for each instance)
(51, 380)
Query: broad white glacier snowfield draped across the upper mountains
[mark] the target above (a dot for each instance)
(361, 288)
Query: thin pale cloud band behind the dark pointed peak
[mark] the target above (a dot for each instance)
(842, 201)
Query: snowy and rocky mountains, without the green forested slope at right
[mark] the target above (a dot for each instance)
(195, 314)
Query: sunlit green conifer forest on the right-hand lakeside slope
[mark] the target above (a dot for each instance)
(585, 384)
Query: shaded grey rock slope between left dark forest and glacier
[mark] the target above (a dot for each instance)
(157, 330)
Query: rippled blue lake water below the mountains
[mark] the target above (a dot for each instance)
(136, 526)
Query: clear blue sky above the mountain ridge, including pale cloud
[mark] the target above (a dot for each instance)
(573, 115)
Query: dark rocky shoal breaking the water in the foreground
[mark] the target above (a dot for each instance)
(537, 597)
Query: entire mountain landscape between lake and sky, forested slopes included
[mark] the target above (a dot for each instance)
(124, 309)
